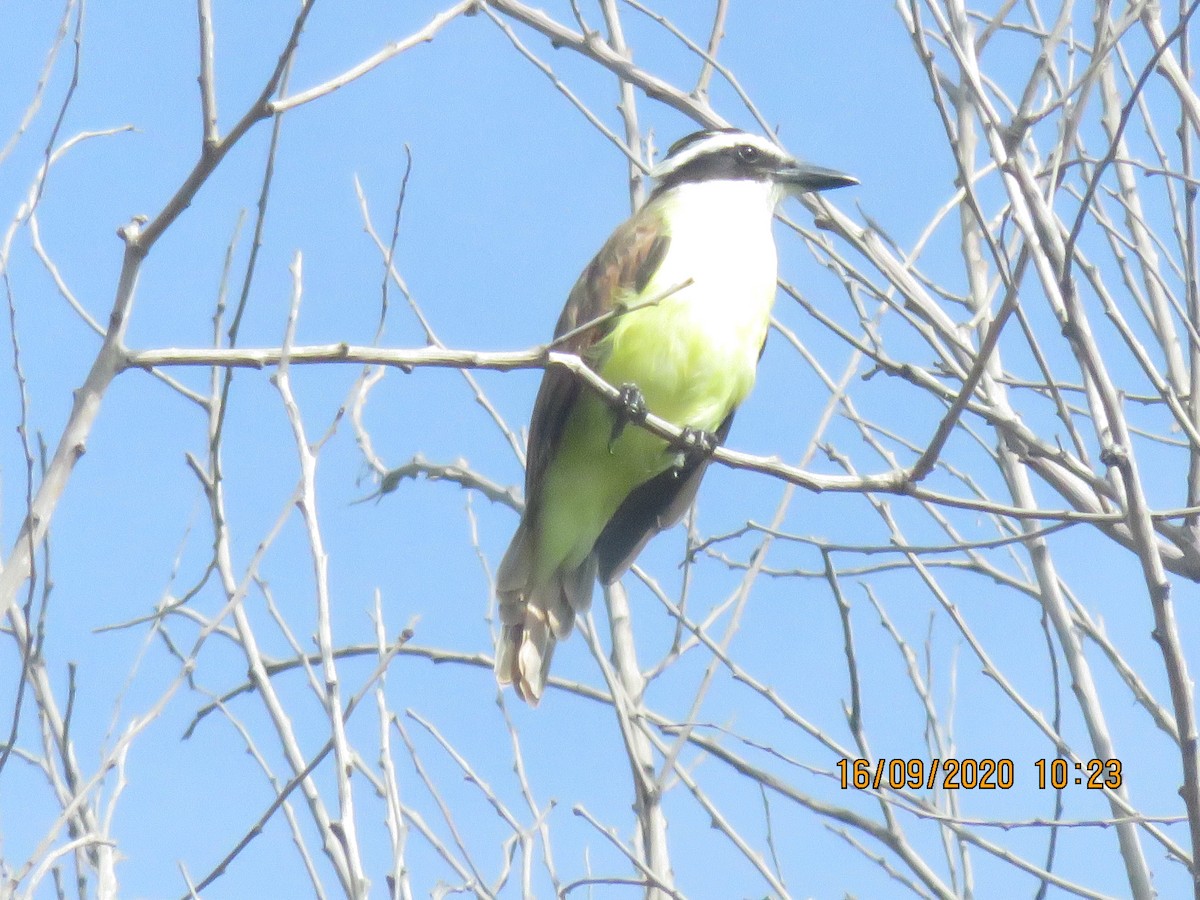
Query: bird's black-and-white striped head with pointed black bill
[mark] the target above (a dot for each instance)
(731, 155)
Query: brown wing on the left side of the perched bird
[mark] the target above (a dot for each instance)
(623, 267)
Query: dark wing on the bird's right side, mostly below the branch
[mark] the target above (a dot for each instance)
(651, 508)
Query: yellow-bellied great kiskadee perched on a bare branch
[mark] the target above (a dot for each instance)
(697, 269)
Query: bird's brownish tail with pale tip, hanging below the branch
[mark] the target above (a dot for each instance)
(536, 615)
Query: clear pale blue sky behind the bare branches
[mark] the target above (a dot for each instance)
(511, 193)
